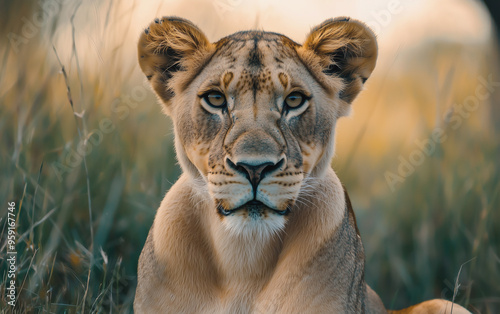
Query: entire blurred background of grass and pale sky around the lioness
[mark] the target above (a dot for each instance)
(87, 155)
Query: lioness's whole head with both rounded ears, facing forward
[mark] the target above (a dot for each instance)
(254, 114)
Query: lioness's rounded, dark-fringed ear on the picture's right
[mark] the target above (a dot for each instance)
(346, 48)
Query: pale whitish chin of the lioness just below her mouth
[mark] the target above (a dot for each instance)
(253, 219)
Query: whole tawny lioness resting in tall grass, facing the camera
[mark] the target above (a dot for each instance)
(258, 222)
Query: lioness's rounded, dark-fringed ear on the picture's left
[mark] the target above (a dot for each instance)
(169, 45)
